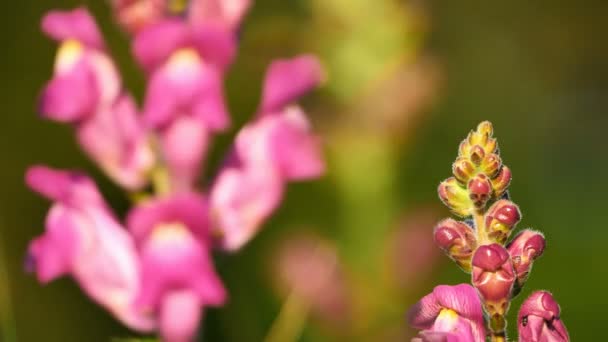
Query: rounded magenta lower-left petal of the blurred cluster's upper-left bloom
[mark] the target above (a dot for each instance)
(70, 96)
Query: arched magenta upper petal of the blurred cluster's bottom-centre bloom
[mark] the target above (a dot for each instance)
(191, 209)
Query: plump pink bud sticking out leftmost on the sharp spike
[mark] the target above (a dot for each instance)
(457, 240)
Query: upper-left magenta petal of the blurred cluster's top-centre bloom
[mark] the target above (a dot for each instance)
(155, 43)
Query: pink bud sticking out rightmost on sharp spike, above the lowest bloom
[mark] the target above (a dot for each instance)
(524, 249)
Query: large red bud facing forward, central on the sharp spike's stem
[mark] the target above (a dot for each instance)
(493, 276)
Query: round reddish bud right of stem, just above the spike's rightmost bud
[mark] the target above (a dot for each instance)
(501, 219)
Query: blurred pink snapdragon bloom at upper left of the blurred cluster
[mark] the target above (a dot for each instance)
(86, 91)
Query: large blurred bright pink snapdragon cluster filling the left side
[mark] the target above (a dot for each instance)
(154, 270)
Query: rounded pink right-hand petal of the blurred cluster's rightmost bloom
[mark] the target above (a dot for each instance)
(296, 150)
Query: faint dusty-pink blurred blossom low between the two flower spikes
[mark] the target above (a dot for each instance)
(309, 268)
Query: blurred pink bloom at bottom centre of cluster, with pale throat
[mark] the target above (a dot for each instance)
(178, 277)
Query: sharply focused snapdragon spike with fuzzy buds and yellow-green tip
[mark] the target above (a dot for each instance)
(479, 245)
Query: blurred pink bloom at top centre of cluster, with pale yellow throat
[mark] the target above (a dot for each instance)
(184, 99)
